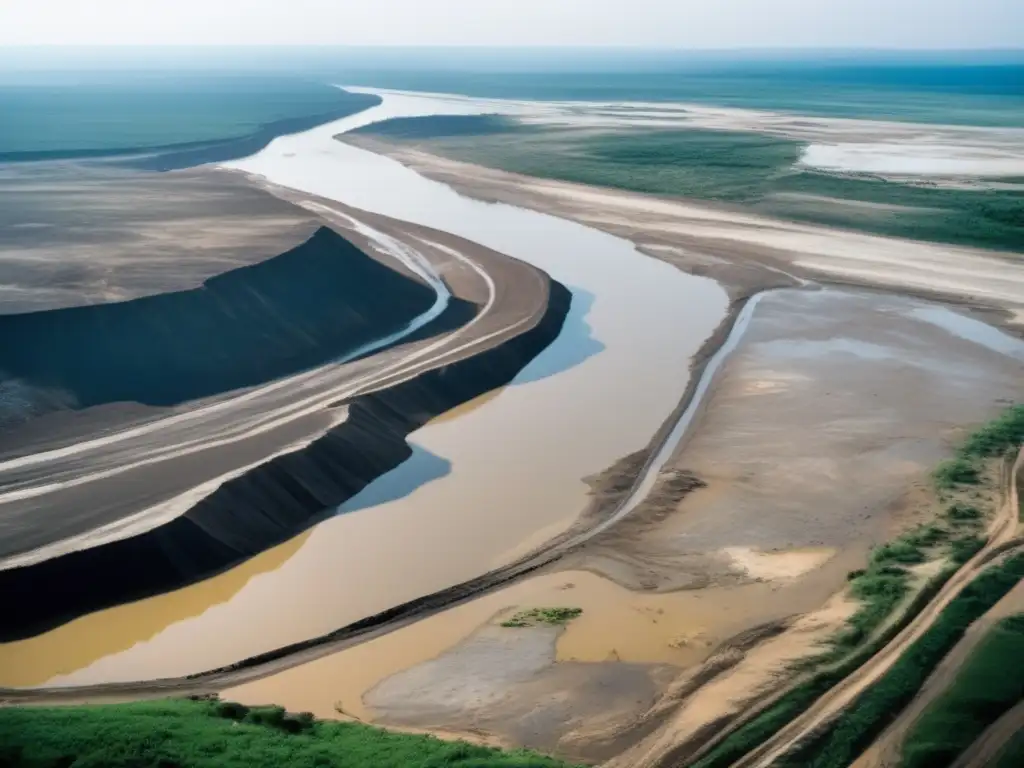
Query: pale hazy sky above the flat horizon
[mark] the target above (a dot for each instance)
(685, 24)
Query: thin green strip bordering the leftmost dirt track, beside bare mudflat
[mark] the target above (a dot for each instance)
(795, 703)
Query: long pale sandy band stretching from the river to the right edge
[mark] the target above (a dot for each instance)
(742, 250)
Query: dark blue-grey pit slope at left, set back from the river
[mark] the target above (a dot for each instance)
(297, 311)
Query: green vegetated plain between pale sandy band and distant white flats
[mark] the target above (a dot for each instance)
(744, 168)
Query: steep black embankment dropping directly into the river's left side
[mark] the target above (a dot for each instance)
(270, 504)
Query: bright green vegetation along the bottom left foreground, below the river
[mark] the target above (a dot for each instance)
(216, 735)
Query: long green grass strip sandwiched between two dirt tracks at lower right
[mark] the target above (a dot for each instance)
(845, 739)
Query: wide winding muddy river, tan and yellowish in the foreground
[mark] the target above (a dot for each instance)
(487, 483)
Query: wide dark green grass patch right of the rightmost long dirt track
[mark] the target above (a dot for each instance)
(990, 684)
